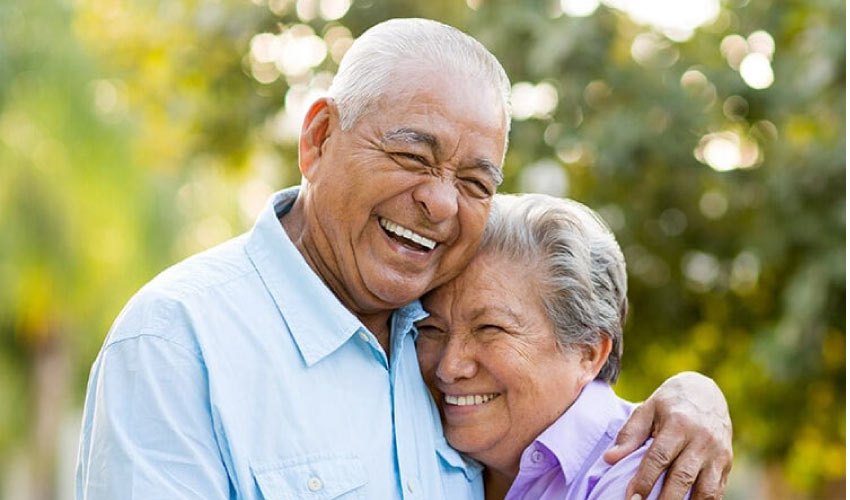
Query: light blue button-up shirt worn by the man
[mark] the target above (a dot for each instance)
(237, 374)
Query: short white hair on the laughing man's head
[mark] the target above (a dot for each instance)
(366, 69)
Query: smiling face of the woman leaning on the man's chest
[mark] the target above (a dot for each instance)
(489, 355)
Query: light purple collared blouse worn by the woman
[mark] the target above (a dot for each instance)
(565, 461)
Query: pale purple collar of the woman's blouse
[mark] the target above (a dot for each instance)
(575, 435)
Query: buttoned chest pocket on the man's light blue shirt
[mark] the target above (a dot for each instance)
(313, 477)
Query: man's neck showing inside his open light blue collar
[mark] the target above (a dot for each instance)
(377, 322)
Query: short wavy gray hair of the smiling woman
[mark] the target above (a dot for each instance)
(579, 264)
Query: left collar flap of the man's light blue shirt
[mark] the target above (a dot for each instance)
(319, 323)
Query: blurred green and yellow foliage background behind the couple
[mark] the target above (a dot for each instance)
(709, 133)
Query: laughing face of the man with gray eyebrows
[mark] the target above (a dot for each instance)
(402, 198)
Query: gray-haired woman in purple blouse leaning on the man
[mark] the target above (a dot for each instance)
(520, 350)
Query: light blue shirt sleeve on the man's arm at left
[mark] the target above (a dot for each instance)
(147, 426)
